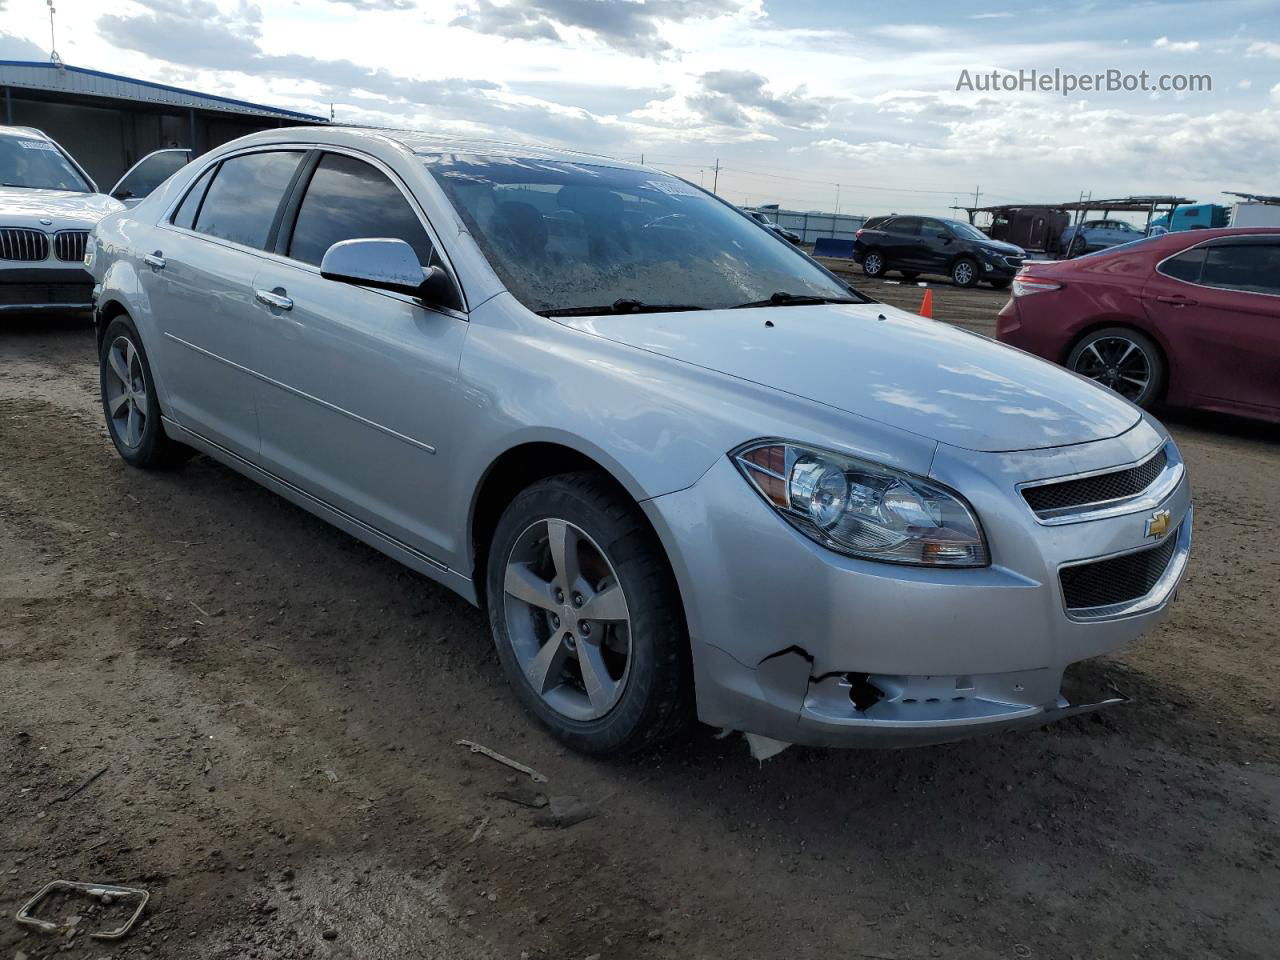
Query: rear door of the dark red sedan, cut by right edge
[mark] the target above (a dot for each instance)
(1219, 307)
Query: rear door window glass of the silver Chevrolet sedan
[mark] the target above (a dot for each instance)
(245, 195)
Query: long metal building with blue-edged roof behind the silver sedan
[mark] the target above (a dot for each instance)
(109, 122)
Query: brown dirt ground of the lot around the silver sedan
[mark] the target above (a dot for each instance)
(276, 710)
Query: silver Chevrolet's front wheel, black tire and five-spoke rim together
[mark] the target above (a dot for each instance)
(587, 619)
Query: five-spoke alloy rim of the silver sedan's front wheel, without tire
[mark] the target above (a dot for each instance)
(568, 620)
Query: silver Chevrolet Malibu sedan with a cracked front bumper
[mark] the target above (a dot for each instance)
(683, 469)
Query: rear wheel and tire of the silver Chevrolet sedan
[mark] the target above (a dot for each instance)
(130, 401)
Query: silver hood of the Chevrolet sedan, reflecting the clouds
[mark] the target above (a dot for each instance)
(895, 368)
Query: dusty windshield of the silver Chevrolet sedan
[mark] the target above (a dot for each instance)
(565, 236)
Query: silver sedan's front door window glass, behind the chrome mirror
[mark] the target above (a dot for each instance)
(349, 199)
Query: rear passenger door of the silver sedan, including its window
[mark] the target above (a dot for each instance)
(200, 285)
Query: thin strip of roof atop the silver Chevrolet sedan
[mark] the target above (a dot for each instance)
(426, 144)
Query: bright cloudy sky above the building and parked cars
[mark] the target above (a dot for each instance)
(792, 97)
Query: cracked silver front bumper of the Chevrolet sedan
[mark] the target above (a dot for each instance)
(804, 646)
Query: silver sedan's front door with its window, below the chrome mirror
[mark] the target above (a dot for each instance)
(356, 383)
